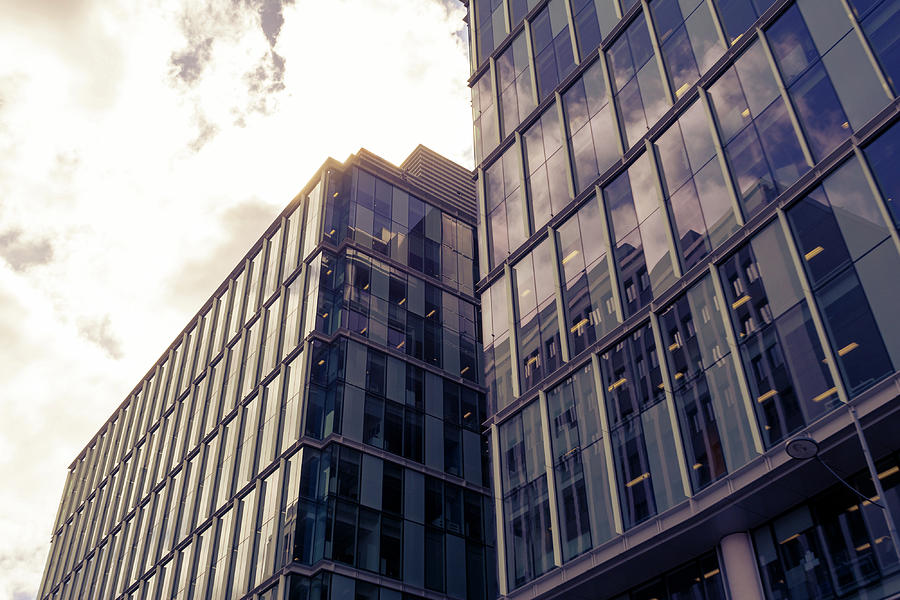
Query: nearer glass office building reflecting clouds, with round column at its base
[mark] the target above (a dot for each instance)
(688, 215)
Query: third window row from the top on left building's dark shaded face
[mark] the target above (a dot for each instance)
(378, 400)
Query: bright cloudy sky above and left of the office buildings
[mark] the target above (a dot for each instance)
(144, 146)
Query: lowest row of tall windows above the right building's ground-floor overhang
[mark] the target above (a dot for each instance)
(738, 360)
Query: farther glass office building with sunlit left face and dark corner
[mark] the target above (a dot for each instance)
(314, 433)
